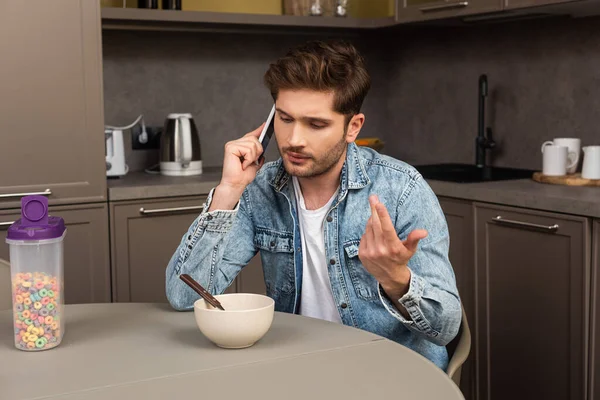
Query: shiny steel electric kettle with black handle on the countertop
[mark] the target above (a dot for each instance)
(180, 147)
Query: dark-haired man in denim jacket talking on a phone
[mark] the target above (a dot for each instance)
(345, 234)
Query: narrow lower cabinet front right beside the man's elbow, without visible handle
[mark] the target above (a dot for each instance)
(460, 220)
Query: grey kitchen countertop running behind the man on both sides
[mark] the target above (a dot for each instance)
(584, 201)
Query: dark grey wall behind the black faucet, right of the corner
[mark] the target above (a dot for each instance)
(544, 81)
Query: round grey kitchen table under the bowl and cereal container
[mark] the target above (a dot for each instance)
(134, 351)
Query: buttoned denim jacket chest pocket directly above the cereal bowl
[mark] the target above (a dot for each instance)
(277, 256)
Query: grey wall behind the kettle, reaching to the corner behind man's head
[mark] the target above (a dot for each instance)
(216, 77)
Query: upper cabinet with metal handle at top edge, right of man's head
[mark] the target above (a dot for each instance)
(421, 10)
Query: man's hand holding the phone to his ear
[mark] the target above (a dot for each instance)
(239, 170)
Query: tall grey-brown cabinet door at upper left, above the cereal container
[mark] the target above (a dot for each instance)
(52, 114)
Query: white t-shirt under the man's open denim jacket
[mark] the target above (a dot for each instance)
(317, 299)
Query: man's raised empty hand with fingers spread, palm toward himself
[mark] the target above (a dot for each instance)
(384, 255)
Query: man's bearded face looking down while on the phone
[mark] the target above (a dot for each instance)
(310, 135)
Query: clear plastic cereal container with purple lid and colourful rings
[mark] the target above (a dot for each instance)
(36, 267)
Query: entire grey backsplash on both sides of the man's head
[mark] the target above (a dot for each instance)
(544, 82)
